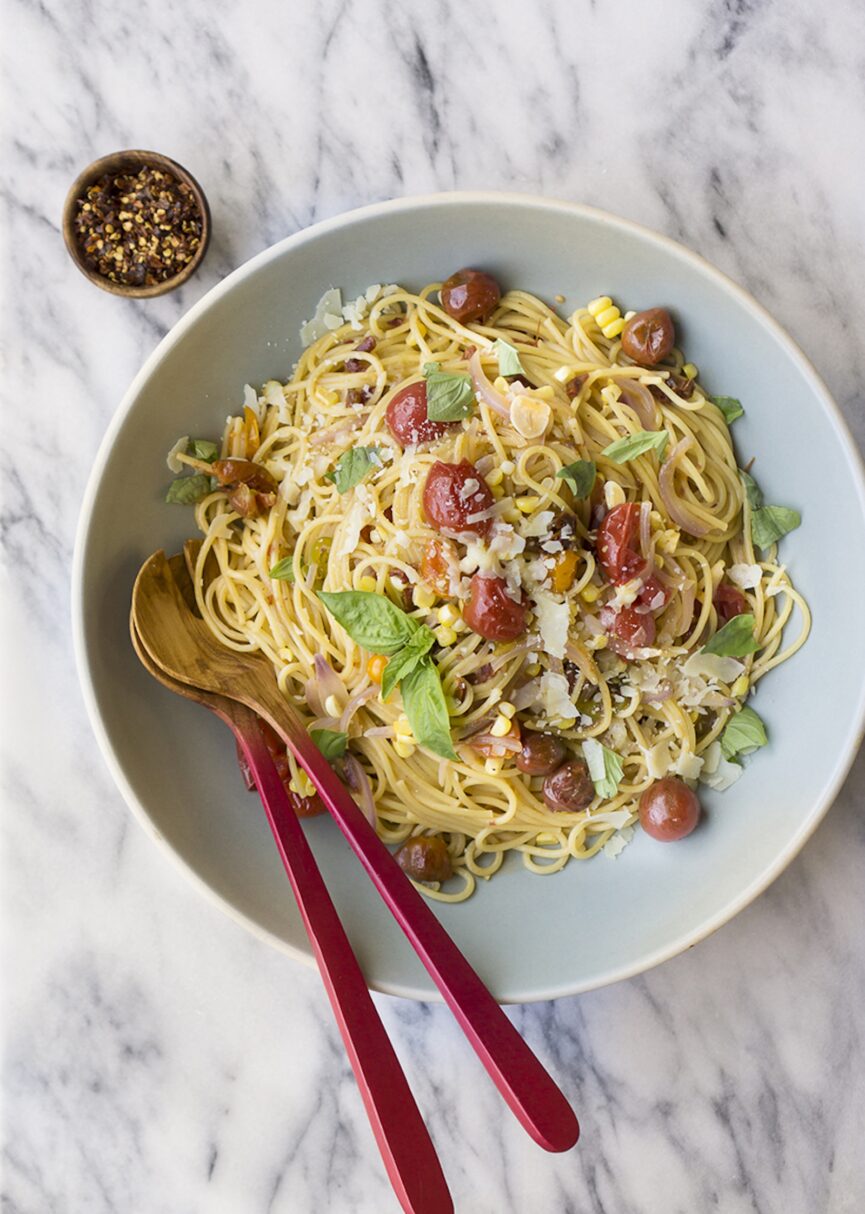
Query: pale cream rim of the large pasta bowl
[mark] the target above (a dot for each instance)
(855, 735)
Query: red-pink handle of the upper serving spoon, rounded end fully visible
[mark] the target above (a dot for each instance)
(527, 1087)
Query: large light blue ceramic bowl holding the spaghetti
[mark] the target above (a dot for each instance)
(531, 938)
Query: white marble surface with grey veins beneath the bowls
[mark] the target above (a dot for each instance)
(158, 1060)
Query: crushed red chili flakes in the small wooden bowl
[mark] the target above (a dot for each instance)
(139, 229)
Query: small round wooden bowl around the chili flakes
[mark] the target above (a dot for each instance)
(132, 162)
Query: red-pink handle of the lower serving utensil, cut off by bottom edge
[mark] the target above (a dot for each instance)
(406, 1147)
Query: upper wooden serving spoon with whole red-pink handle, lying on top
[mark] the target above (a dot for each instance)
(189, 653)
